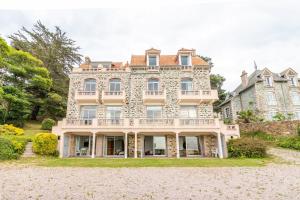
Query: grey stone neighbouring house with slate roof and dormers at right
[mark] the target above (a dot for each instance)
(266, 93)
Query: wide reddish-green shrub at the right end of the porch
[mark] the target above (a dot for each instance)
(246, 148)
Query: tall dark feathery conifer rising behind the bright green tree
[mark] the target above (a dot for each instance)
(57, 51)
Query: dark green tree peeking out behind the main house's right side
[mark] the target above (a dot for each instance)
(216, 82)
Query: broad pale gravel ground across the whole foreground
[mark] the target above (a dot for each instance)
(271, 182)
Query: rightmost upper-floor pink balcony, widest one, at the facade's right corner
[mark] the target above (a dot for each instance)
(197, 97)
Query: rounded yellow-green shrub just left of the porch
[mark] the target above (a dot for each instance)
(45, 144)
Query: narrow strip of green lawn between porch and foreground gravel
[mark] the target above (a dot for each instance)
(146, 162)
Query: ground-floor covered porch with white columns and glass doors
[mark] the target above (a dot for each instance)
(141, 144)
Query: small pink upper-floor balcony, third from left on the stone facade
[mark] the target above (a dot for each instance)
(154, 97)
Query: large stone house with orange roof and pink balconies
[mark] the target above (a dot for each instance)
(158, 105)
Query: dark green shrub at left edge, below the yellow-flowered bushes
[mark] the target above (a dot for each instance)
(7, 150)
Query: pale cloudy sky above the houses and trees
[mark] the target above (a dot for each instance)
(234, 33)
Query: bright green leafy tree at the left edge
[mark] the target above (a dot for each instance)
(25, 84)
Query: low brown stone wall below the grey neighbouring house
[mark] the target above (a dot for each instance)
(274, 127)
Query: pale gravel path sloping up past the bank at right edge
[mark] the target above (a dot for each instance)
(286, 155)
